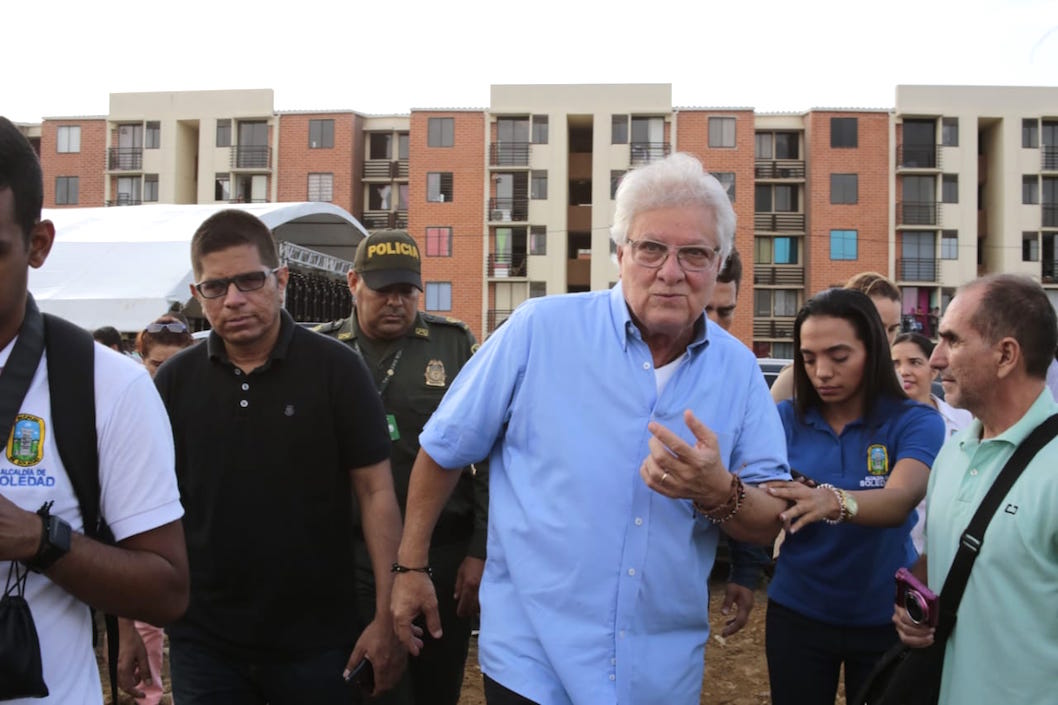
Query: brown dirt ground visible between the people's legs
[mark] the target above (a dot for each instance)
(736, 672)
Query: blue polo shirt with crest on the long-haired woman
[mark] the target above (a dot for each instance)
(843, 574)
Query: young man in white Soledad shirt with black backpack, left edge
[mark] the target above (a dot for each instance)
(124, 459)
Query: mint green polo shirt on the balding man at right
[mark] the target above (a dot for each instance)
(1005, 648)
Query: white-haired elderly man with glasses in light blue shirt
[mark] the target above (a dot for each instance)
(625, 430)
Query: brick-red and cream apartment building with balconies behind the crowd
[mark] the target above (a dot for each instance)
(516, 201)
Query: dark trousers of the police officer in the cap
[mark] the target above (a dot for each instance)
(435, 677)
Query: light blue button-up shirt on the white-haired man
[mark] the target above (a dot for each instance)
(596, 588)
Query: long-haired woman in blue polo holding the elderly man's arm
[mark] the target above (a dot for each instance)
(865, 451)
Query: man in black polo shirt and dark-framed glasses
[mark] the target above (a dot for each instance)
(276, 427)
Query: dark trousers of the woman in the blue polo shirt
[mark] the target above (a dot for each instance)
(806, 656)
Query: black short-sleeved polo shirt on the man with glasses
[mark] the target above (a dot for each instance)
(263, 464)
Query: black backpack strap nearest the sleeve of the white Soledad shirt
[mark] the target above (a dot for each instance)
(71, 381)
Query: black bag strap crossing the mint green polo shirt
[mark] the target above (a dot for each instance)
(970, 546)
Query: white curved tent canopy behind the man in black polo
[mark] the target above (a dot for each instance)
(123, 267)
